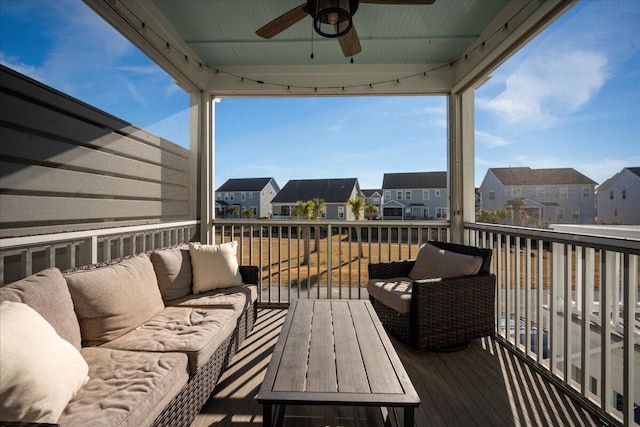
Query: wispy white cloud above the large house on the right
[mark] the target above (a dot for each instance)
(546, 87)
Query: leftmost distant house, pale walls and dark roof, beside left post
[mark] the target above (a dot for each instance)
(246, 193)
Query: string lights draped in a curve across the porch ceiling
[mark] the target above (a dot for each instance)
(145, 30)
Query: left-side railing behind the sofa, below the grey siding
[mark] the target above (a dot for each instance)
(22, 256)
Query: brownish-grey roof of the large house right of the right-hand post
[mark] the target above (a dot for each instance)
(527, 176)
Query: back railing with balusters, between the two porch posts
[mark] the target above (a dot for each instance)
(324, 258)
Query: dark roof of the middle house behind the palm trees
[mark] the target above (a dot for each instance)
(331, 190)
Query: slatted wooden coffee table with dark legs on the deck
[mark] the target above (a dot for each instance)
(335, 352)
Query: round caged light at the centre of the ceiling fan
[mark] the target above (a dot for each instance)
(332, 18)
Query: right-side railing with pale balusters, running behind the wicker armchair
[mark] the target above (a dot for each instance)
(569, 304)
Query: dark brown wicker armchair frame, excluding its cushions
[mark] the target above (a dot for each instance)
(445, 314)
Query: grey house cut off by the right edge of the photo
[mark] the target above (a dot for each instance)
(618, 198)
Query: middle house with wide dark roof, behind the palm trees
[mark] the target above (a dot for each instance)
(335, 193)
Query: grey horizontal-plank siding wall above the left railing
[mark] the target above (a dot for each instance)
(66, 166)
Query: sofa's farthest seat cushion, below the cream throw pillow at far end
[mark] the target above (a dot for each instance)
(238, 298)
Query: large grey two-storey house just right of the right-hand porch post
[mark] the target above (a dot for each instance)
(558, 195)
